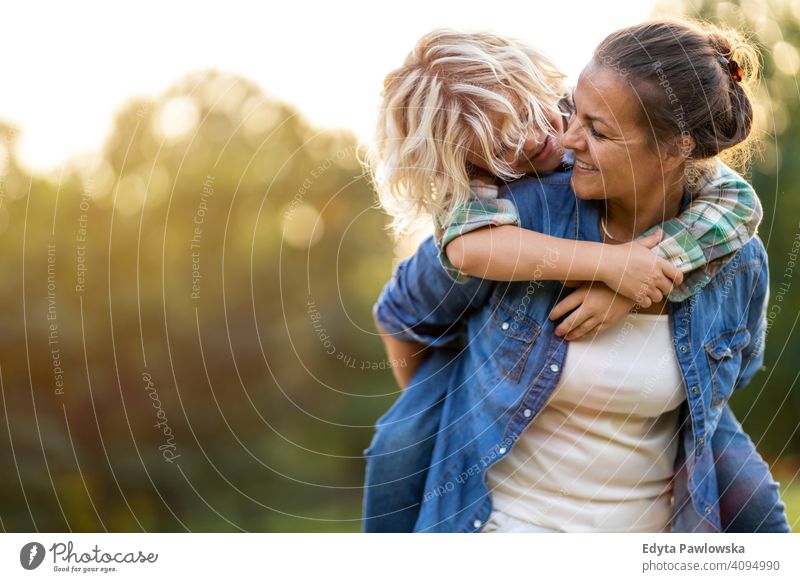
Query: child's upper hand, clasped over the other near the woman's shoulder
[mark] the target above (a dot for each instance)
(635, 271)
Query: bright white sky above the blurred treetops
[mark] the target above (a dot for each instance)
(68, 66)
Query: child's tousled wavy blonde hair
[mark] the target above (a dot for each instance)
(457, 95)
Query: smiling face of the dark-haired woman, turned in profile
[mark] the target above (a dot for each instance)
(613, 155)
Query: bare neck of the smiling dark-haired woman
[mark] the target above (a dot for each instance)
(626, 219)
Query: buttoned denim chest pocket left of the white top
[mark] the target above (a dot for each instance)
(513, 334)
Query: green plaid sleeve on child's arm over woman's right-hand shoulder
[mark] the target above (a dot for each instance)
(722, 218)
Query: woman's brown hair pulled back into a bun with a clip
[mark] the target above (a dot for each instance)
(687, 78)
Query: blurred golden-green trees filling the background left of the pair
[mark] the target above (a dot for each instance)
(189, 334)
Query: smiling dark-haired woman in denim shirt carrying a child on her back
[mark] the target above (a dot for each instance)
(514, 362)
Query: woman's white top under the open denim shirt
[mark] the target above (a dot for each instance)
(600, 454)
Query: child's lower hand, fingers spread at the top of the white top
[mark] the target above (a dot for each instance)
(594, 308)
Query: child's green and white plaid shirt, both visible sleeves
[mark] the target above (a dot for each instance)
(722, 218)
